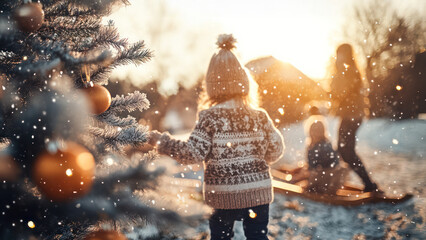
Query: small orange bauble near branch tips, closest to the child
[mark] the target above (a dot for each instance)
(99, 97)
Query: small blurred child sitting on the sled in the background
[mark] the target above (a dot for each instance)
(326, 173)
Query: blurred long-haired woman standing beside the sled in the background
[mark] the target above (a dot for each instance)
(346, 90)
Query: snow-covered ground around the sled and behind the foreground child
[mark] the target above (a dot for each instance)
(394, 153)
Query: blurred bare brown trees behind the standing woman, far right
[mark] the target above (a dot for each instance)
(391, 44)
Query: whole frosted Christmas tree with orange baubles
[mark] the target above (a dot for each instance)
(60, 129)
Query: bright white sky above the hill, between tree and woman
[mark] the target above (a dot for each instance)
(298, 32)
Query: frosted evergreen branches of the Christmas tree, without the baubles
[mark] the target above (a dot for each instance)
(33, 111)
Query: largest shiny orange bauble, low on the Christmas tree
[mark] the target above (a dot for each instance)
(65, 174)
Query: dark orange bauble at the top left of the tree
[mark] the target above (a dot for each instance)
(29, 17)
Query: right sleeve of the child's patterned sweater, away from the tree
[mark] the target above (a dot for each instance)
(276, 145)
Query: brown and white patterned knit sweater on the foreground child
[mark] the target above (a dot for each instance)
(236, 144)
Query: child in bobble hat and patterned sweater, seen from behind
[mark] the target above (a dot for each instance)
(237, 142)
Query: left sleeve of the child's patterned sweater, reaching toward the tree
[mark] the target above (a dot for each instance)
(195, 149)
